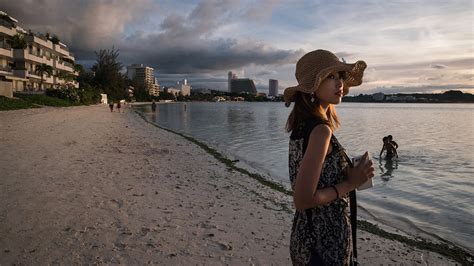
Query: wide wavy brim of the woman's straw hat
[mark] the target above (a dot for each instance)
(355, 73)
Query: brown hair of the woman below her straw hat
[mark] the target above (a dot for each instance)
(303, 109)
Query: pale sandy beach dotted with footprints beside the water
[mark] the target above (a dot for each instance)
(84, 185)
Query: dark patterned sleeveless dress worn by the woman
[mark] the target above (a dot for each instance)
(321, 234)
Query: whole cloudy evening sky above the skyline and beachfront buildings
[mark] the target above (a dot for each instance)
(410, 46)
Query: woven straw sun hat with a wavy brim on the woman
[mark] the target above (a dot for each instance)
(315, 66)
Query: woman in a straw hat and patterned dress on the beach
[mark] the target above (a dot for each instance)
(319, 169)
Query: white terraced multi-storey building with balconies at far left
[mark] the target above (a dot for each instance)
(22, 56)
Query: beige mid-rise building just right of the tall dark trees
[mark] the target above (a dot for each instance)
(143, 77)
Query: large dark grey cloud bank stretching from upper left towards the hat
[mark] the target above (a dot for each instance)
(179, 43)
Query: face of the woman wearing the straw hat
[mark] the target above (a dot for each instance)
(331, 89)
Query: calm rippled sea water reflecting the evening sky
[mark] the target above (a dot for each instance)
(428, 191)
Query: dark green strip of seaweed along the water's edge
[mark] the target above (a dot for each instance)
(444, 247)
